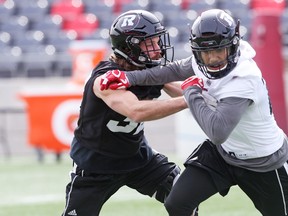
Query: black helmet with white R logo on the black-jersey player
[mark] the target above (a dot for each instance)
(133, 27)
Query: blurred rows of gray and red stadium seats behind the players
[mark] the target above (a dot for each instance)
(35, 34)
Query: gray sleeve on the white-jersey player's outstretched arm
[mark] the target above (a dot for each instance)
(175, 71)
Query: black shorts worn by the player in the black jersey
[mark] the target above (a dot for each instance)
(86, 193)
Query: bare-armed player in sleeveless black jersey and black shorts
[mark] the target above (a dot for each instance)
(109, 149)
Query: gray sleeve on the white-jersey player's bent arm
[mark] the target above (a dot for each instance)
(217, 122)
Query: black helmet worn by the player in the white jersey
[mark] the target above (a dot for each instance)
(215, 29)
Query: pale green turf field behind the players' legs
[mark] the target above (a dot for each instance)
(29, 188)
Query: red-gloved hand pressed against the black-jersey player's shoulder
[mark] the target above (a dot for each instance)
(114, 79)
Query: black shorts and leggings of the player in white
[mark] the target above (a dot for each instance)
(207, 173)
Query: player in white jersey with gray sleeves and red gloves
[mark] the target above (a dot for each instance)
(228, 97)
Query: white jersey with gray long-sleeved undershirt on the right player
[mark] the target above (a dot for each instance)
(235, 111)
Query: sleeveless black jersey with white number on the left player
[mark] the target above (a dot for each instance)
(106, 141)
